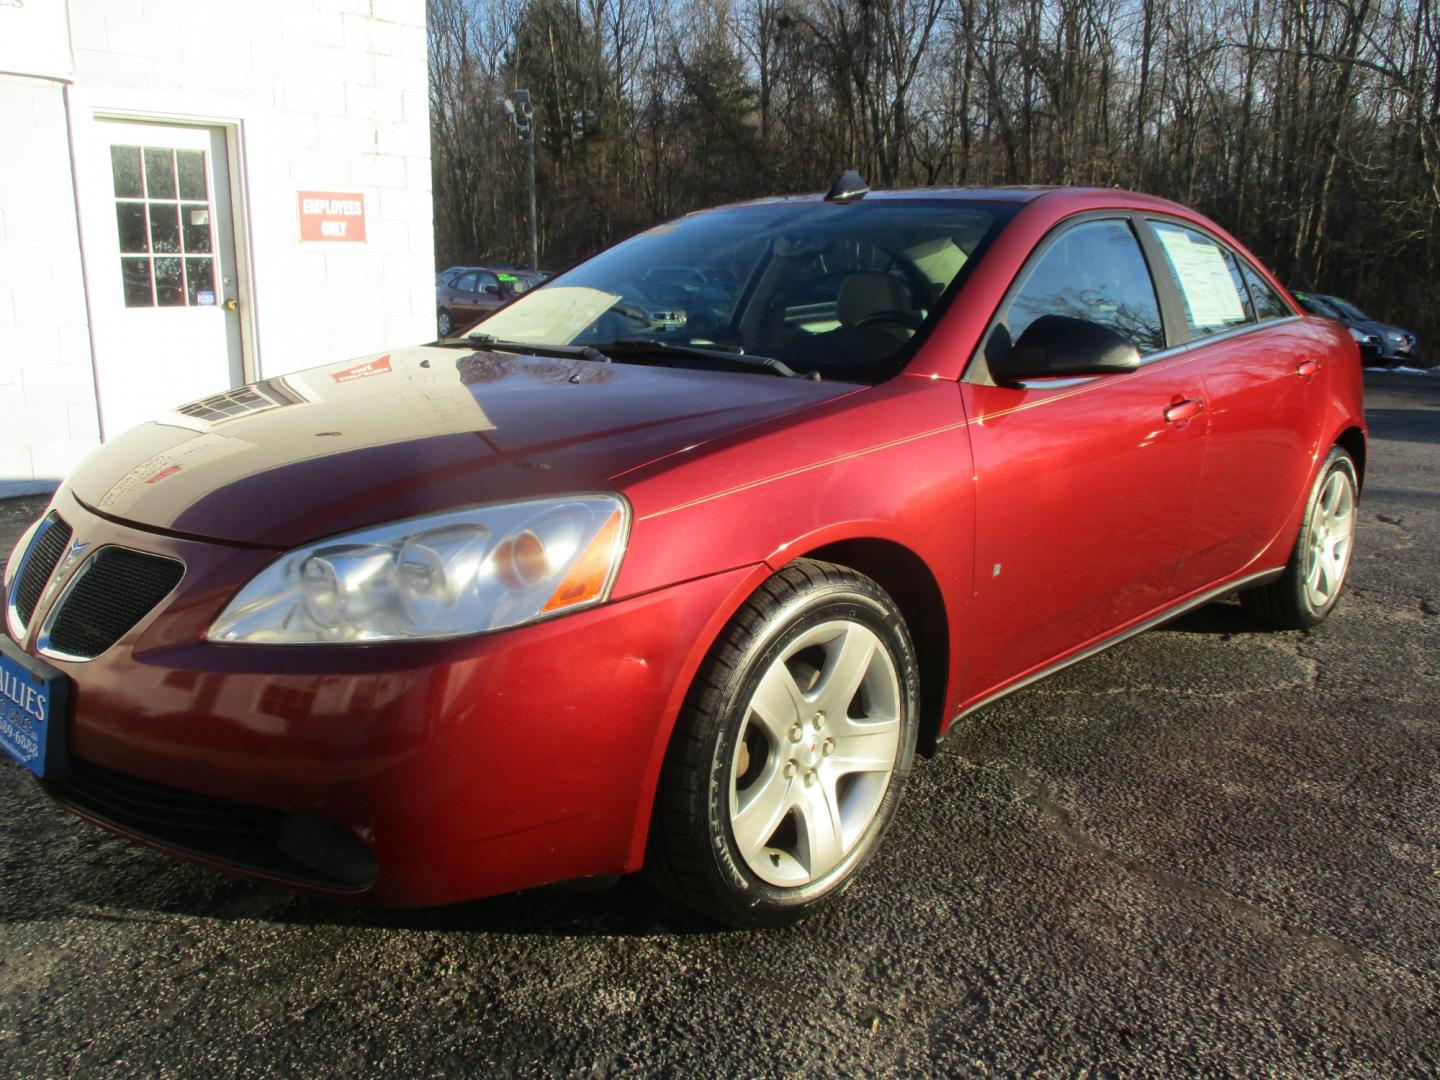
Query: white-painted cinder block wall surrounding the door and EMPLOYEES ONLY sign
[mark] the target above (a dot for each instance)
(325, 96)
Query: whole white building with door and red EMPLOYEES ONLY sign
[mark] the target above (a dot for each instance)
(197, 195)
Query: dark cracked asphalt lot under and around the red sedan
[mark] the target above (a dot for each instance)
(1215, 850)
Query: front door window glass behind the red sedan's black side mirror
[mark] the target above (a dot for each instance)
(1097, 273)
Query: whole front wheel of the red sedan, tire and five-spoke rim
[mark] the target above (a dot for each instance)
(791, 752)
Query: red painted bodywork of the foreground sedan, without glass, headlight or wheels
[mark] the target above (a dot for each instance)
(498, 762)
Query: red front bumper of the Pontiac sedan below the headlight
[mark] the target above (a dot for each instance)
(463, 770)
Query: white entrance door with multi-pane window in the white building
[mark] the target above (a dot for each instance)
(161, 260)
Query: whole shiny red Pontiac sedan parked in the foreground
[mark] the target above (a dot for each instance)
(600, 591)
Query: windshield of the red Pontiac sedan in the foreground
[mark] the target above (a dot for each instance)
(843, 290)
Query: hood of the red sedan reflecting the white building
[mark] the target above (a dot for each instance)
(411, 433)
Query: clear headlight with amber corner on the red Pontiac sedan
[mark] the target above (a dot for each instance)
(440, 577)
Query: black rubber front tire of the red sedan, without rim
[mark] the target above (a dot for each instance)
(824, 604)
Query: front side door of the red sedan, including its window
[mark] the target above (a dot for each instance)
(1084, 486)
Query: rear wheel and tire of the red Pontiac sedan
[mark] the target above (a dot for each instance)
(1314, 578)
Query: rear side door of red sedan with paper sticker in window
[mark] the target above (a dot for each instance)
(1256, 362)
